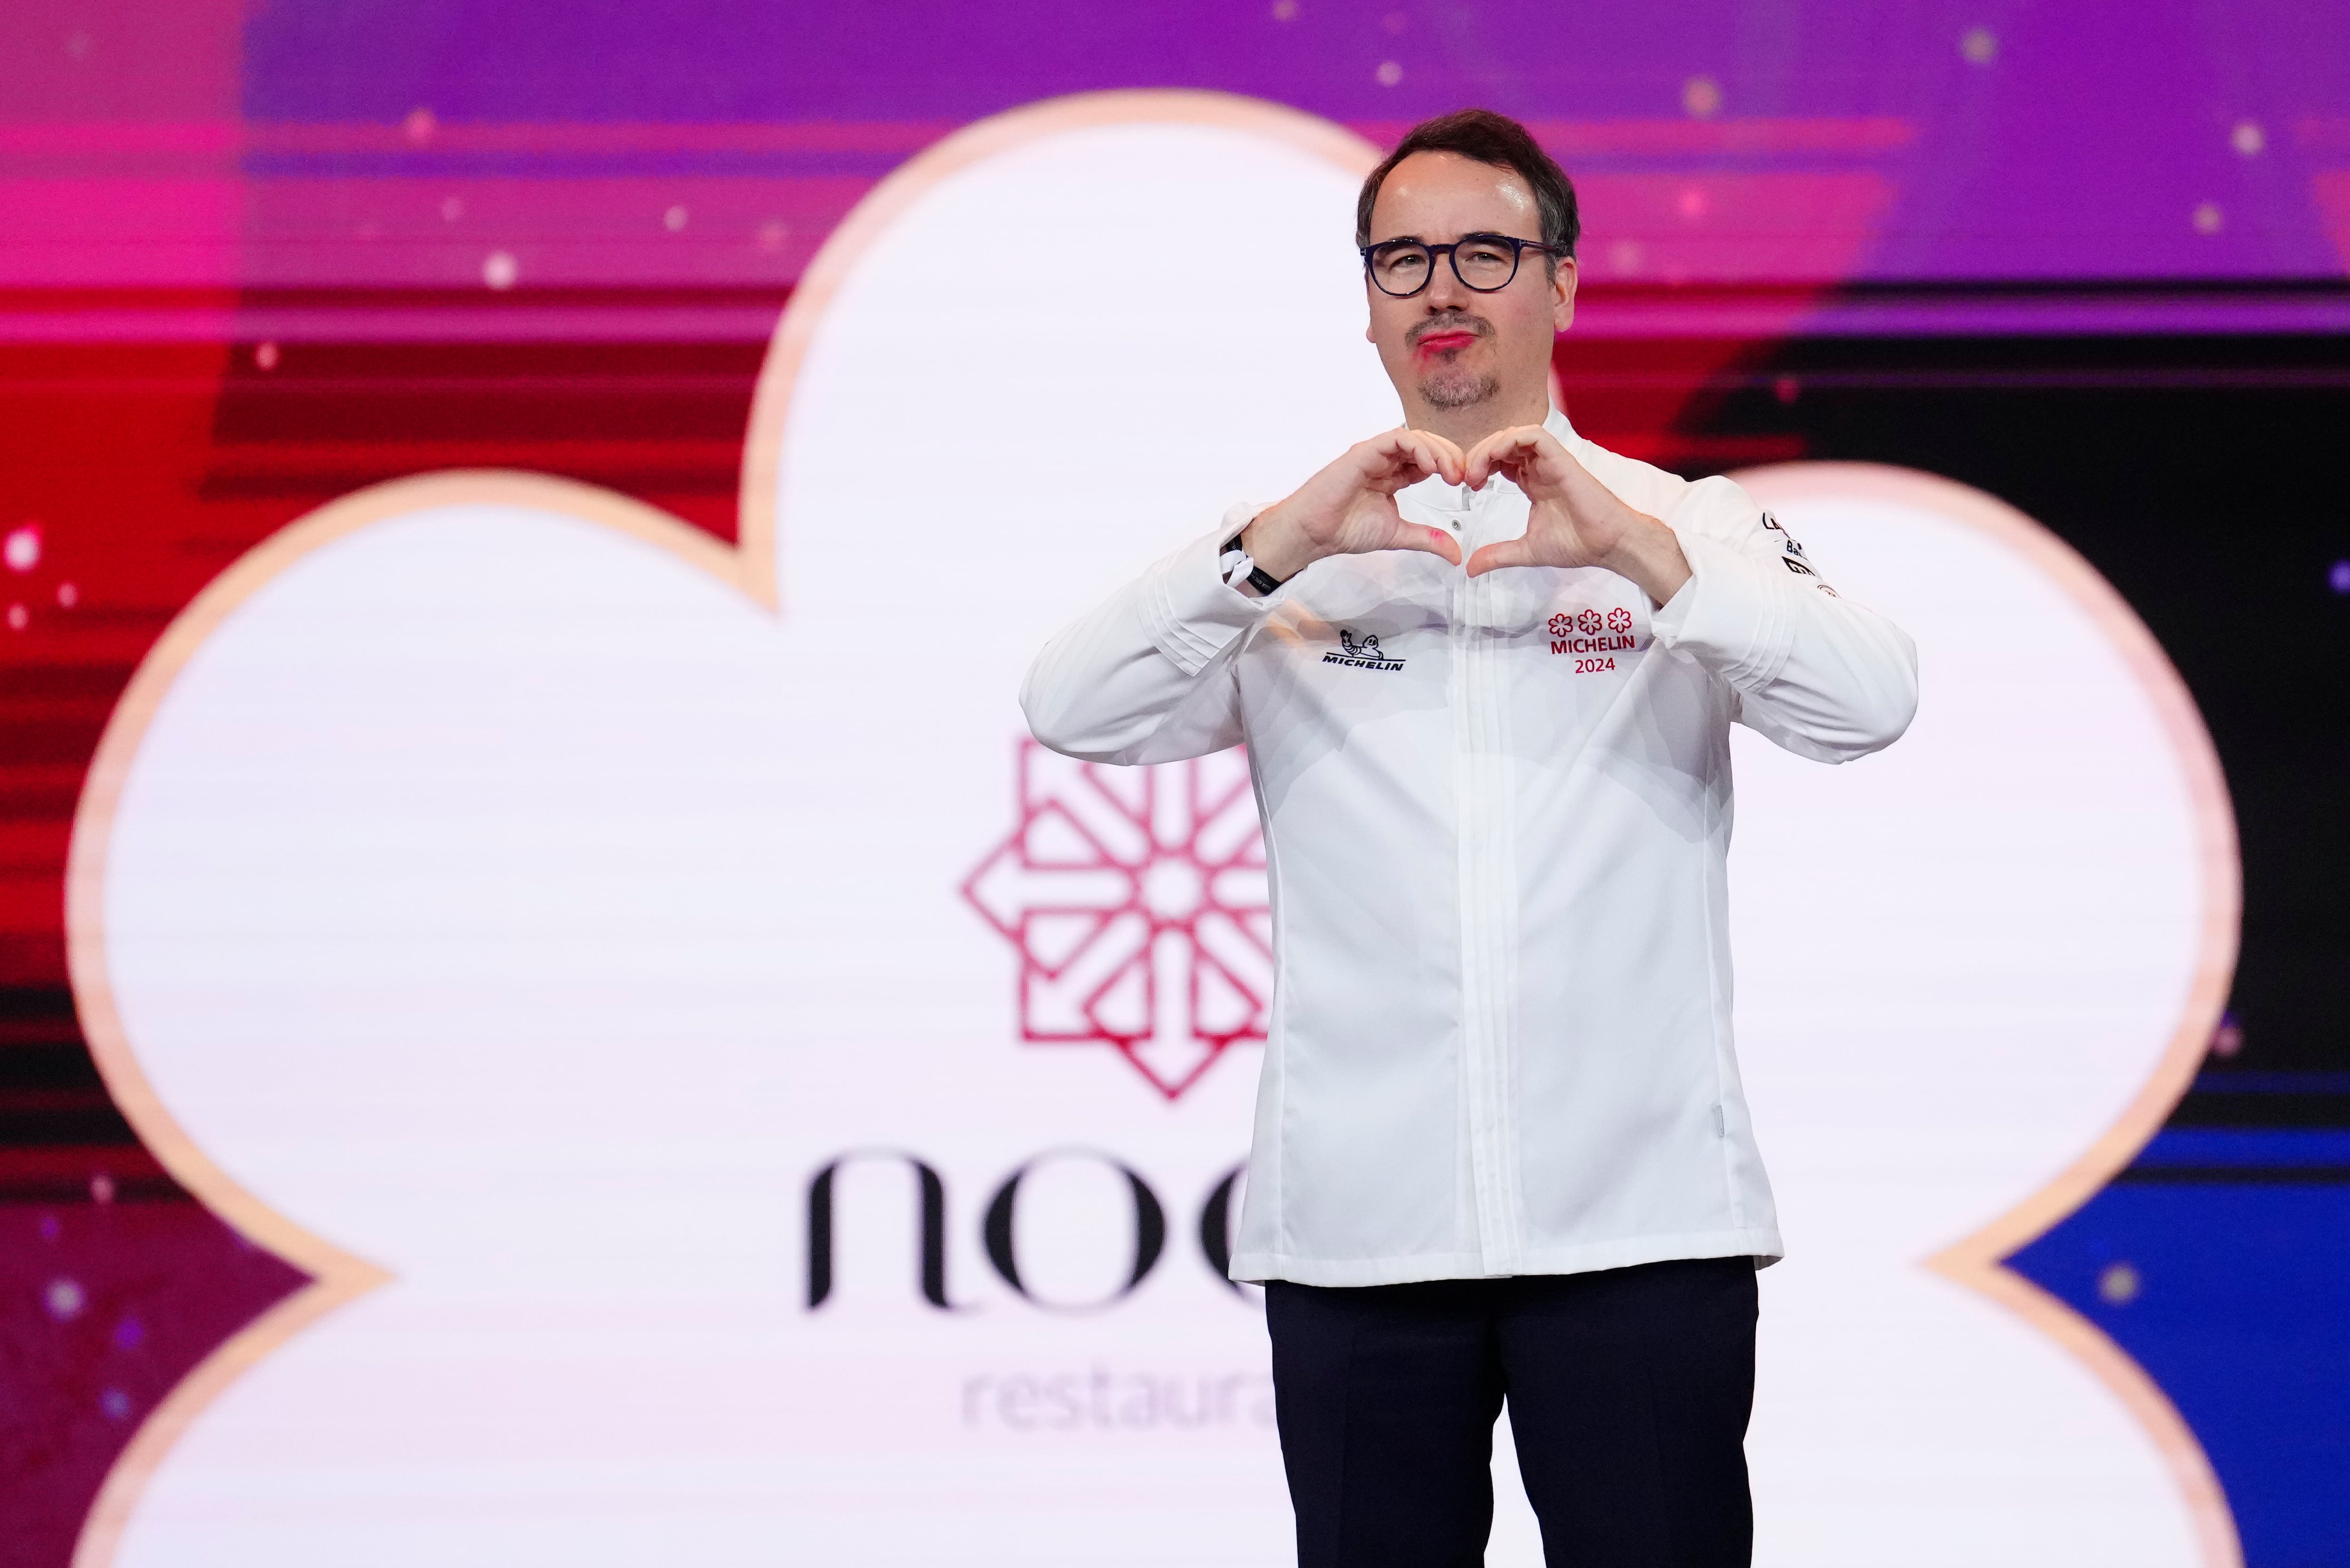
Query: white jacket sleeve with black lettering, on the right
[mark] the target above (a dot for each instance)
(1813, 671)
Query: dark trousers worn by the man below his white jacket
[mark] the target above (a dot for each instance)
(1627, 1395)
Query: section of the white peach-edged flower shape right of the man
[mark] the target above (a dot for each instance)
(1975, 974)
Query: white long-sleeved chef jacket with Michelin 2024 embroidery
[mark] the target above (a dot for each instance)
(1496, 831)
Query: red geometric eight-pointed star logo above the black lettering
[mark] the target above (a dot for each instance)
(1136, 899)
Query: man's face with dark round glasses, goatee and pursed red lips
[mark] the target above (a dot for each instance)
(1453, 347)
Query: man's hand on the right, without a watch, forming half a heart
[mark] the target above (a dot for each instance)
(1576, 521)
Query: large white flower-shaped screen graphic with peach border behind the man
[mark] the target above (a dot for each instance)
(502, 902)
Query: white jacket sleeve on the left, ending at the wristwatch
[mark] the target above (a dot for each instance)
(1150, 674)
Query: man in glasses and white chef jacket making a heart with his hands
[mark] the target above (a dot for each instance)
(1486, 676)
